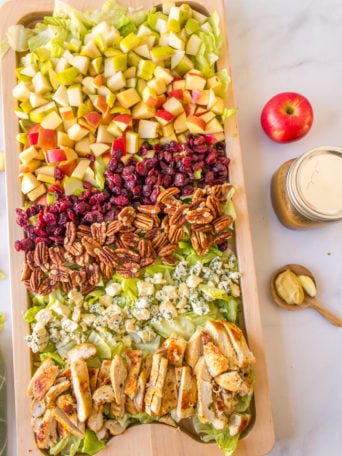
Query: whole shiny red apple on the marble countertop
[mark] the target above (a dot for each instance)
(287, 117)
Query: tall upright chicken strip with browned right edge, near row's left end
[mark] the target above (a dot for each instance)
(81, 388)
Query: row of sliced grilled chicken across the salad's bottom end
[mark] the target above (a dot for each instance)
(209, 377)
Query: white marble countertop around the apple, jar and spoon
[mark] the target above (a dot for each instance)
(277, 46)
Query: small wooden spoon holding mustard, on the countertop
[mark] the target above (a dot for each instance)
(308, 300)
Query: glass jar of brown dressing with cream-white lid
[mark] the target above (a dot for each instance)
(307, 191)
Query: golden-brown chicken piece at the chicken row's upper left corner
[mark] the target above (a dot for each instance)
(42, 379)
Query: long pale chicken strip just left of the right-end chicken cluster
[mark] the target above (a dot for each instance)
(204, 392)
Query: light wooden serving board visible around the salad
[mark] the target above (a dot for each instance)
(152, 439)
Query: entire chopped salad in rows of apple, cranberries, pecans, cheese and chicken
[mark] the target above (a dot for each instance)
(128, 222)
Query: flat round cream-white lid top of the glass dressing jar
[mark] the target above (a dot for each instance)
(320, 182)
